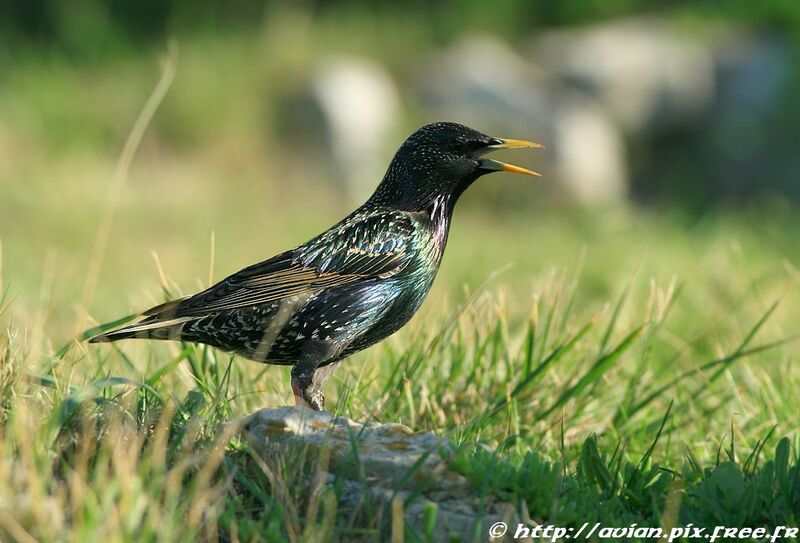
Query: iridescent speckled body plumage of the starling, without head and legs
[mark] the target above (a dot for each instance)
(338, 284)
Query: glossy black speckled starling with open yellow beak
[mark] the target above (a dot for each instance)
(352, 285)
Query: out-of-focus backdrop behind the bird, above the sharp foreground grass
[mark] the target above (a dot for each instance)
(671, 128)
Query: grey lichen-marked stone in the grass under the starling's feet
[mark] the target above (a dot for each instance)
(392, 462)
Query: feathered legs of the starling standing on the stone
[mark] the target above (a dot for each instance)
(308, 377)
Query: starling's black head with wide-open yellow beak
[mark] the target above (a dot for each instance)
(443, 159)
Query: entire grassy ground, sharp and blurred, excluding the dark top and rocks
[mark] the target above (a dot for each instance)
(620, 365)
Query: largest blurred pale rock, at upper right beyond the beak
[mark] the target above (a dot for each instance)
(643, 71)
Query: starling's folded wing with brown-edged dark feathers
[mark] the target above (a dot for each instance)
(376, 245)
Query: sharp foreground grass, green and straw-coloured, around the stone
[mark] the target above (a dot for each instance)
(590, 411)
